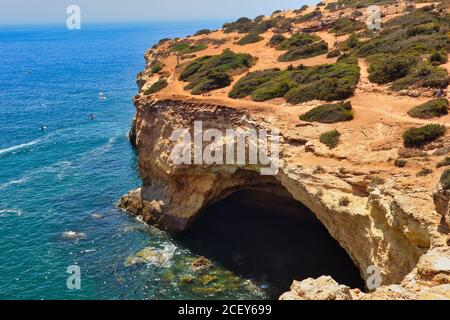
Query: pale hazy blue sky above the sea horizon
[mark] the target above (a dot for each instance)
(54, 11)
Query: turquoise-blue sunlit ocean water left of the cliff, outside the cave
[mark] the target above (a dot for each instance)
(68, 177)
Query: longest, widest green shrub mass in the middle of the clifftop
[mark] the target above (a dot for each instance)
(328, 82)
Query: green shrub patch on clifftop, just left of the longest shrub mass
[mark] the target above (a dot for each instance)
(213, 72)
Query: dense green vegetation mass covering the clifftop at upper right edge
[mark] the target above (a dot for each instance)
(409, 49)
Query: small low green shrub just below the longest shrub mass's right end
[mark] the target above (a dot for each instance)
(329, 113)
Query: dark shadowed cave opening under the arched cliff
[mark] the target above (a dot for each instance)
(265, 235)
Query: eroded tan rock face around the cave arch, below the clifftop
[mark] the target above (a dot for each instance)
(383, 222)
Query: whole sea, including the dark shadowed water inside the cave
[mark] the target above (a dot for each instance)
(65, 160)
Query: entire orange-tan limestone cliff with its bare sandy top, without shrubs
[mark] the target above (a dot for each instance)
(382, 215)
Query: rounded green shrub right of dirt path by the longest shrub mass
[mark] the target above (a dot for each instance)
(384, 68)
